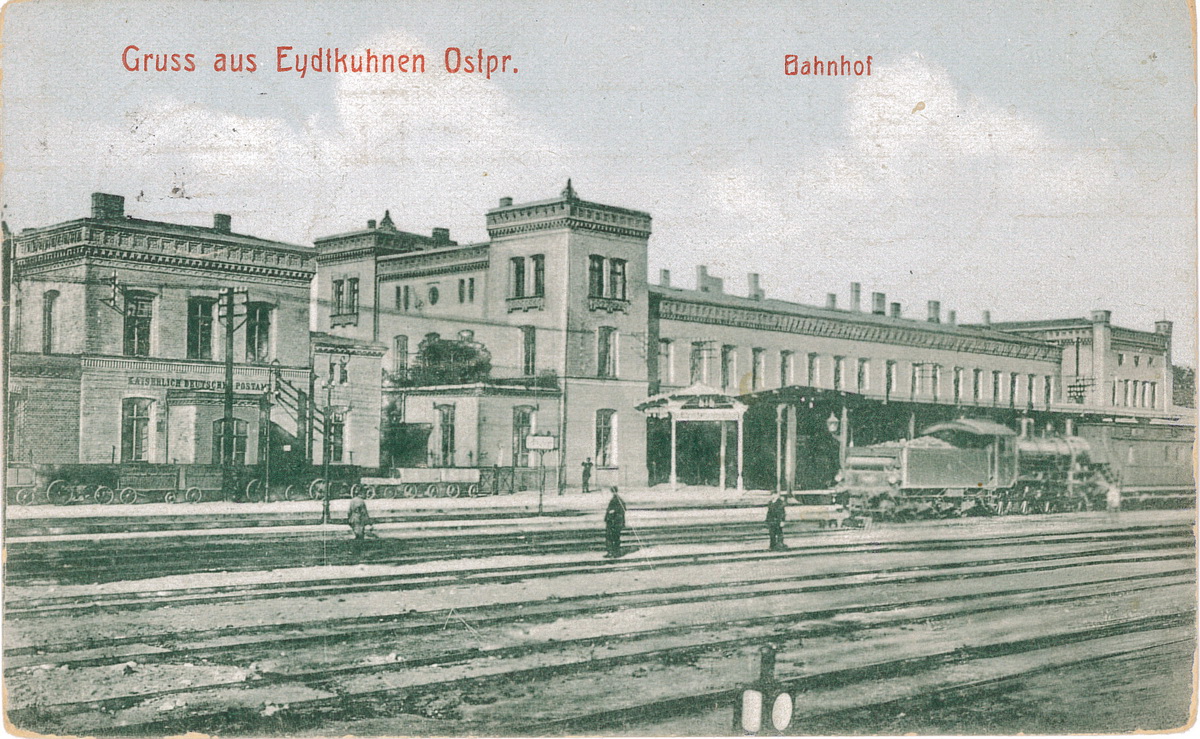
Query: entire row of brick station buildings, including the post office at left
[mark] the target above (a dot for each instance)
(544, 346)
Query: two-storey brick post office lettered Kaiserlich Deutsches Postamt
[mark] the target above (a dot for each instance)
(117, 341)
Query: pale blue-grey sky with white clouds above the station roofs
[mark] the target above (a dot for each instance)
(1034, 159)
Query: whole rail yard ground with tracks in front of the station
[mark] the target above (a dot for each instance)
(483, 617)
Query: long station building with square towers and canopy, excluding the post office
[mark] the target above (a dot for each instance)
(553, 327)
